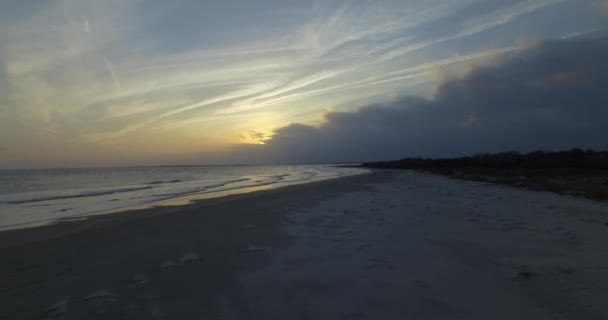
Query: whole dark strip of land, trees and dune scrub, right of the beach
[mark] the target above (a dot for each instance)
(574, 172)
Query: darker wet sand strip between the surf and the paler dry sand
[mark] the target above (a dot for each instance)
(86, 266)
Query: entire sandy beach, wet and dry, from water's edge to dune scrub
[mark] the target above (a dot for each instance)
(387, 245)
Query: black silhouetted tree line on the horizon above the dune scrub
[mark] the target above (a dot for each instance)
(575, 158)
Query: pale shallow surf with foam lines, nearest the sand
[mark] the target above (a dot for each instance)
(23, 210)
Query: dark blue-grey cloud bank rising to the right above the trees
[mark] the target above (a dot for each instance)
(551, 95)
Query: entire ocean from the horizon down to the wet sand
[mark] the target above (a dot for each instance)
(37, 197)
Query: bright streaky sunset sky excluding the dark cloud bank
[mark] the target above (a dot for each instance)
(127, 82)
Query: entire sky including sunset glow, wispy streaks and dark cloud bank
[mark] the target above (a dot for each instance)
(133, 82)
